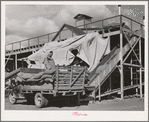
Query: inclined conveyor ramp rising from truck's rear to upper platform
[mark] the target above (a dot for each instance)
(105, 68)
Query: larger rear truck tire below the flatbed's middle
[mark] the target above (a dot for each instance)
(40, 100)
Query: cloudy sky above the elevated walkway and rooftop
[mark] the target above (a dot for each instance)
(26, 21)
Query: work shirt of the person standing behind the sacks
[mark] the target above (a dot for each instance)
(49, 63)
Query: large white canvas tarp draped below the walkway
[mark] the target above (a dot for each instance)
(91, 47)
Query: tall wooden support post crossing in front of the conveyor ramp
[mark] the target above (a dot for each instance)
(121, 60)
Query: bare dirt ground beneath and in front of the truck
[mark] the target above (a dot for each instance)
(127, 104)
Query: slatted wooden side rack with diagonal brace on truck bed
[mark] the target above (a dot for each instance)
(70, 77)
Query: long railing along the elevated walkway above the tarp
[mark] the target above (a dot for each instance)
(100, 24)
